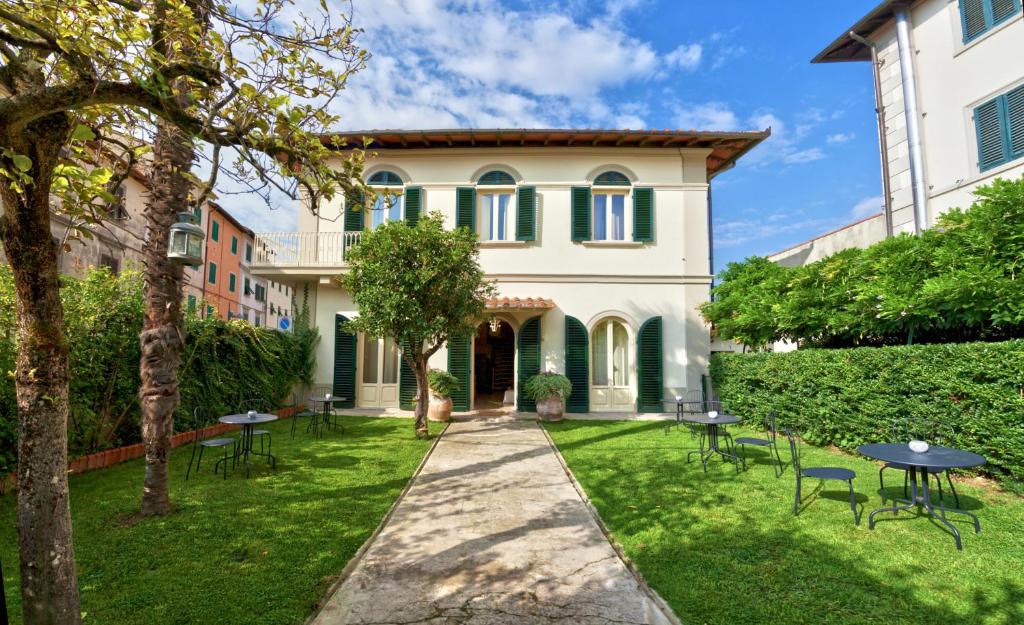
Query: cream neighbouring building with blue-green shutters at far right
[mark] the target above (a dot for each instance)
(951, 81)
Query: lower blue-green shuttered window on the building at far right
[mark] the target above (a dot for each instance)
(1000, 128)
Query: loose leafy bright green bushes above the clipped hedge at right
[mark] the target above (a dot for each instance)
(958, 282)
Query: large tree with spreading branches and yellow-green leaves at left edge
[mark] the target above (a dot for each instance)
(89, 76)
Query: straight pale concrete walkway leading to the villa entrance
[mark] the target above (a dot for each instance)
(492, 532)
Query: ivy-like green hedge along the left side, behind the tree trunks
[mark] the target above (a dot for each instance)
(224, 362)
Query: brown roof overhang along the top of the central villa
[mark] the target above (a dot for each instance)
(727, 148)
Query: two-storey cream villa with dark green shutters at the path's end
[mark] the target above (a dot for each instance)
(599, 242)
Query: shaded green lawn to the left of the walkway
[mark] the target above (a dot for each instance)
(262, 551)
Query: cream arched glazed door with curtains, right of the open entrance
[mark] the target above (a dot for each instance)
(610, 348)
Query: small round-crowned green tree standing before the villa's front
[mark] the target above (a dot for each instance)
(421, 285)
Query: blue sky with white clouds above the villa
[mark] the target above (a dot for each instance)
(734, 65)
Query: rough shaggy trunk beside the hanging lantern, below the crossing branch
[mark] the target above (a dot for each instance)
(162, 340)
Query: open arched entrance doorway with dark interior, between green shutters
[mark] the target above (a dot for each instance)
(494, 365)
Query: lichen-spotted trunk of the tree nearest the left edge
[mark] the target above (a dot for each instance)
(50, 587)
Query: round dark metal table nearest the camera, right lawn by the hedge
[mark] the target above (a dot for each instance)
(936, 457)
